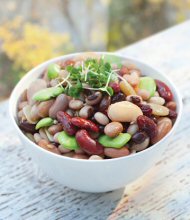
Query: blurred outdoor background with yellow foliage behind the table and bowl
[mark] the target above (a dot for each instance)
(32, 31)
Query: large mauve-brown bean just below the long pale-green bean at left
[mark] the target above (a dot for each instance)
(61, 104)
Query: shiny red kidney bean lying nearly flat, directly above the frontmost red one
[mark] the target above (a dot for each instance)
(84, 123)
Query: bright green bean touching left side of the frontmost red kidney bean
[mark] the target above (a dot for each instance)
(67, 141)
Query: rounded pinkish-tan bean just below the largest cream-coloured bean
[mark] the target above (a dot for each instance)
(113, 129)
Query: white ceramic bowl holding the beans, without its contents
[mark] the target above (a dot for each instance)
(92, 175)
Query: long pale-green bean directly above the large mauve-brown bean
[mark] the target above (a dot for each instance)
(46, 94)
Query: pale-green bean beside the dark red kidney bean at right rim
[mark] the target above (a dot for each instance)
(148, 84)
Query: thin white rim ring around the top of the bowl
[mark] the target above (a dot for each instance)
(63, 57)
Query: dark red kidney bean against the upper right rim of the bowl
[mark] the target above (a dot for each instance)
(164, 91)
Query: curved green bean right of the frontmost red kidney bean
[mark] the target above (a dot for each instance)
(116, 142)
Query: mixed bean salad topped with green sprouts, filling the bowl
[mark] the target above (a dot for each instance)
(96, 108)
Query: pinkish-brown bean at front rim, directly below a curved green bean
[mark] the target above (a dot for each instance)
(115, 153)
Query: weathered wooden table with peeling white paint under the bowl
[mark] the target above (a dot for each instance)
(161, 194)
